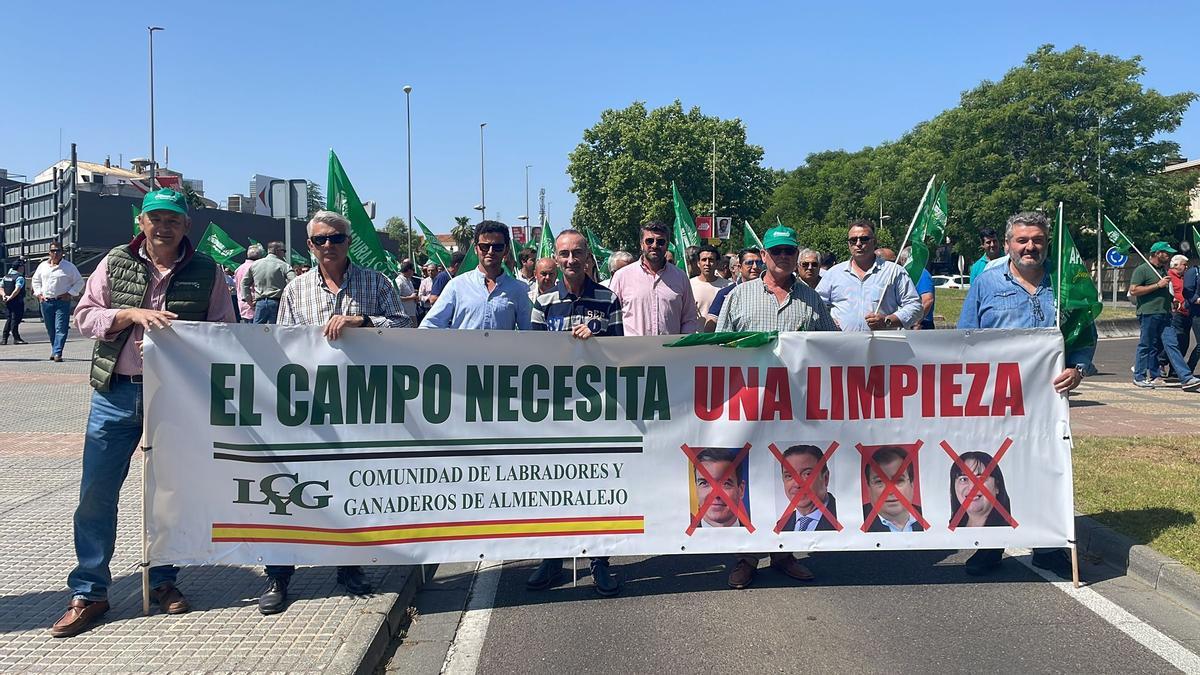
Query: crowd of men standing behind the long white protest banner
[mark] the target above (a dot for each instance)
(782, 288)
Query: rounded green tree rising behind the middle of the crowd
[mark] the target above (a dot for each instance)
(622, 171)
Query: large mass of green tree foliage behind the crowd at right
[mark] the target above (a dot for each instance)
(1025, 142)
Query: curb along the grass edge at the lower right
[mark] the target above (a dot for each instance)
(1167, 576)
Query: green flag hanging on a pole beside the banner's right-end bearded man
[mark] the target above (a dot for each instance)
(1075, 291)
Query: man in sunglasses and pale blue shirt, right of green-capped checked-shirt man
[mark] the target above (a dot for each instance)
(868, 292)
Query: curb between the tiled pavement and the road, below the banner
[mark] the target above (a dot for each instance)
(389, 610)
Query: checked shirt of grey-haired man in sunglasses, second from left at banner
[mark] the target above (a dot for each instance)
(364, 292)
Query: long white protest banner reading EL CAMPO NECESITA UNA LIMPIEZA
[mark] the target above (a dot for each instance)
(271, 445)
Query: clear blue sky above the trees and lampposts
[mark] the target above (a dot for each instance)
(255, 87)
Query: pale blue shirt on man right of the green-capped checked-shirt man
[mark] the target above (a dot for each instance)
(851, 300)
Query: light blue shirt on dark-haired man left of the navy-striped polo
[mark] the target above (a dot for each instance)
(466, 303)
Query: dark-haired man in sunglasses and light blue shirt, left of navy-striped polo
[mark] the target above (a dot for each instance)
(485, 298)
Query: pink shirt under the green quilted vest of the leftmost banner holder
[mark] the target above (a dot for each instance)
(95, 315)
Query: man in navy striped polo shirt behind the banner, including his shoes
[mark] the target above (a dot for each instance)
(583, 308)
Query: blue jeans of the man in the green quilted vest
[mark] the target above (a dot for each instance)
(115, 428)
